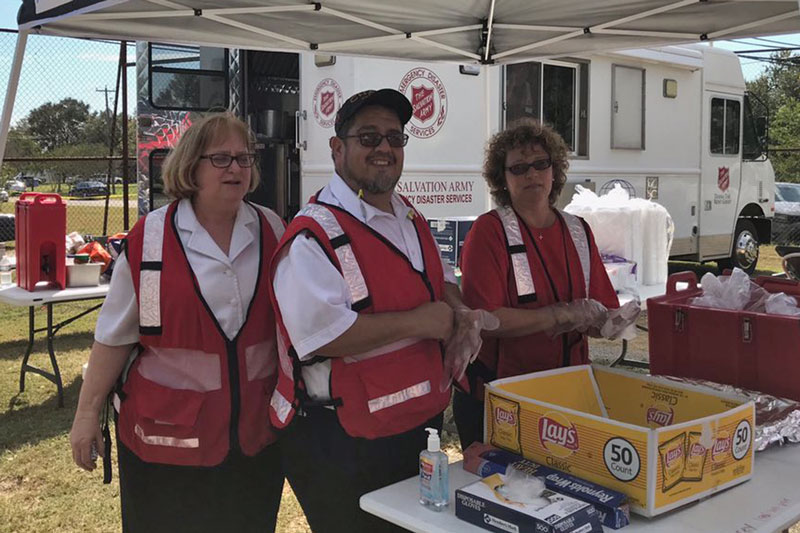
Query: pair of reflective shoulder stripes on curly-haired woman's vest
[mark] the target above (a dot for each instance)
(526, 290)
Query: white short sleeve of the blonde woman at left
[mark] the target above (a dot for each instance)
(118, 322)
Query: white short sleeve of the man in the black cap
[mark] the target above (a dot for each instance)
(313, 297)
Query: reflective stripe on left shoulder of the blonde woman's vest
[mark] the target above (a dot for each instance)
(150, 273)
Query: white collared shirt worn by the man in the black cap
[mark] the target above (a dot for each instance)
(312, 294)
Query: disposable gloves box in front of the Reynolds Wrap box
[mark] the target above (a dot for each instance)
(485, 504)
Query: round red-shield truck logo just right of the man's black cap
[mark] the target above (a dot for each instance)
(426, 92)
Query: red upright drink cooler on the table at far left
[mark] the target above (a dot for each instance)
(41, 228)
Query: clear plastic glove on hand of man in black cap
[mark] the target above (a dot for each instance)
(463, 346)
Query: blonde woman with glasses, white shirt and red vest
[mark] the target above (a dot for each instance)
(189, 299)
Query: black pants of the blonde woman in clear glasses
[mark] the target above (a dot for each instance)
(242, 494)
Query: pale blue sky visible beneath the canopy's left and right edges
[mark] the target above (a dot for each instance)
(100, 60)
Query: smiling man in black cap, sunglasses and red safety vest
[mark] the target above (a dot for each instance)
(364, 304)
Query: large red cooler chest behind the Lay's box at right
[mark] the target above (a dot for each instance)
(750, 350)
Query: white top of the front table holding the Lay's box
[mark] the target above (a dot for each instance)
(768, 502)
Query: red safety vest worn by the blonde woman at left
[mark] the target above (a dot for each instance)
(192, 395)
